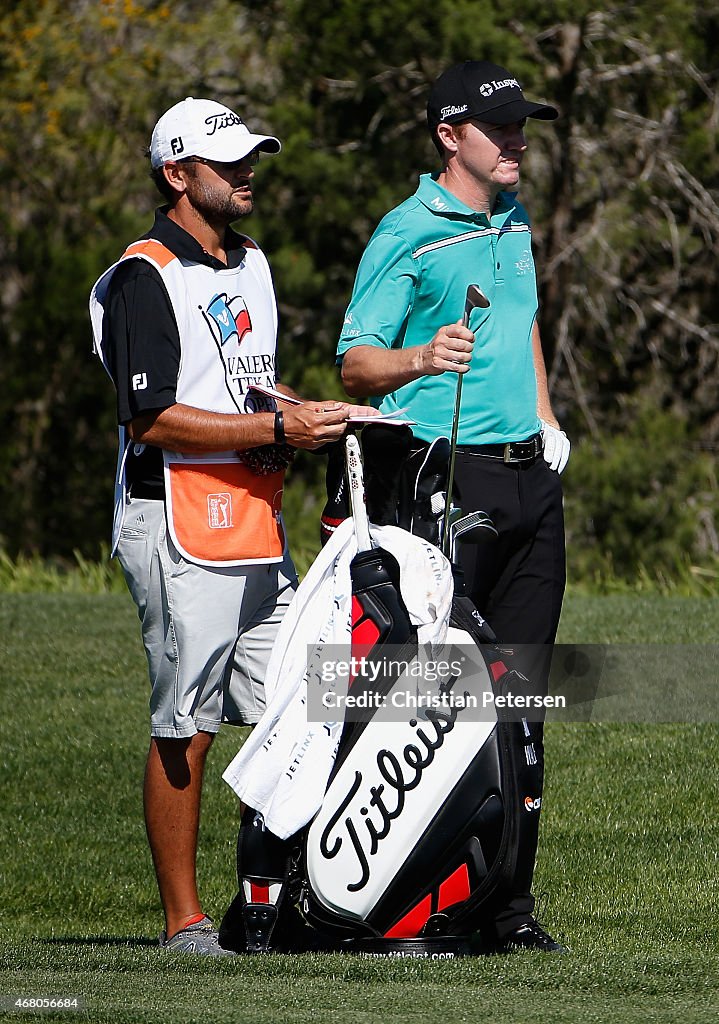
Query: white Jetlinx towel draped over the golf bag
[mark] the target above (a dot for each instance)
(283, 769)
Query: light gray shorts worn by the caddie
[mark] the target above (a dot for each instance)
(208, 633)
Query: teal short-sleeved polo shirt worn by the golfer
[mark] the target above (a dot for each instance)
(413, 280)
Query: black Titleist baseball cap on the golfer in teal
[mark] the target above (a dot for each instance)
(483, 91)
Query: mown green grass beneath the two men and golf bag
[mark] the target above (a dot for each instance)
(628, 852)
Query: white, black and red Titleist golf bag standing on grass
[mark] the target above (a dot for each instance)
(421, 826)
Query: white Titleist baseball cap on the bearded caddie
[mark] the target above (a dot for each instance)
(205, 129)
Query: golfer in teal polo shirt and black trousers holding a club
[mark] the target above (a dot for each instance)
(403, 345)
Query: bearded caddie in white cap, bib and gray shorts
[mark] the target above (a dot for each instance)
(186, 323)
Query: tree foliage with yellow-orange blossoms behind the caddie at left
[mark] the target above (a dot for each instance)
(83, 83)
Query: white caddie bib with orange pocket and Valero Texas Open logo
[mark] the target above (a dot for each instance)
(219, 511)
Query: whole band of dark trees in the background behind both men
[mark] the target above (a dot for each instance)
(623, 192)
